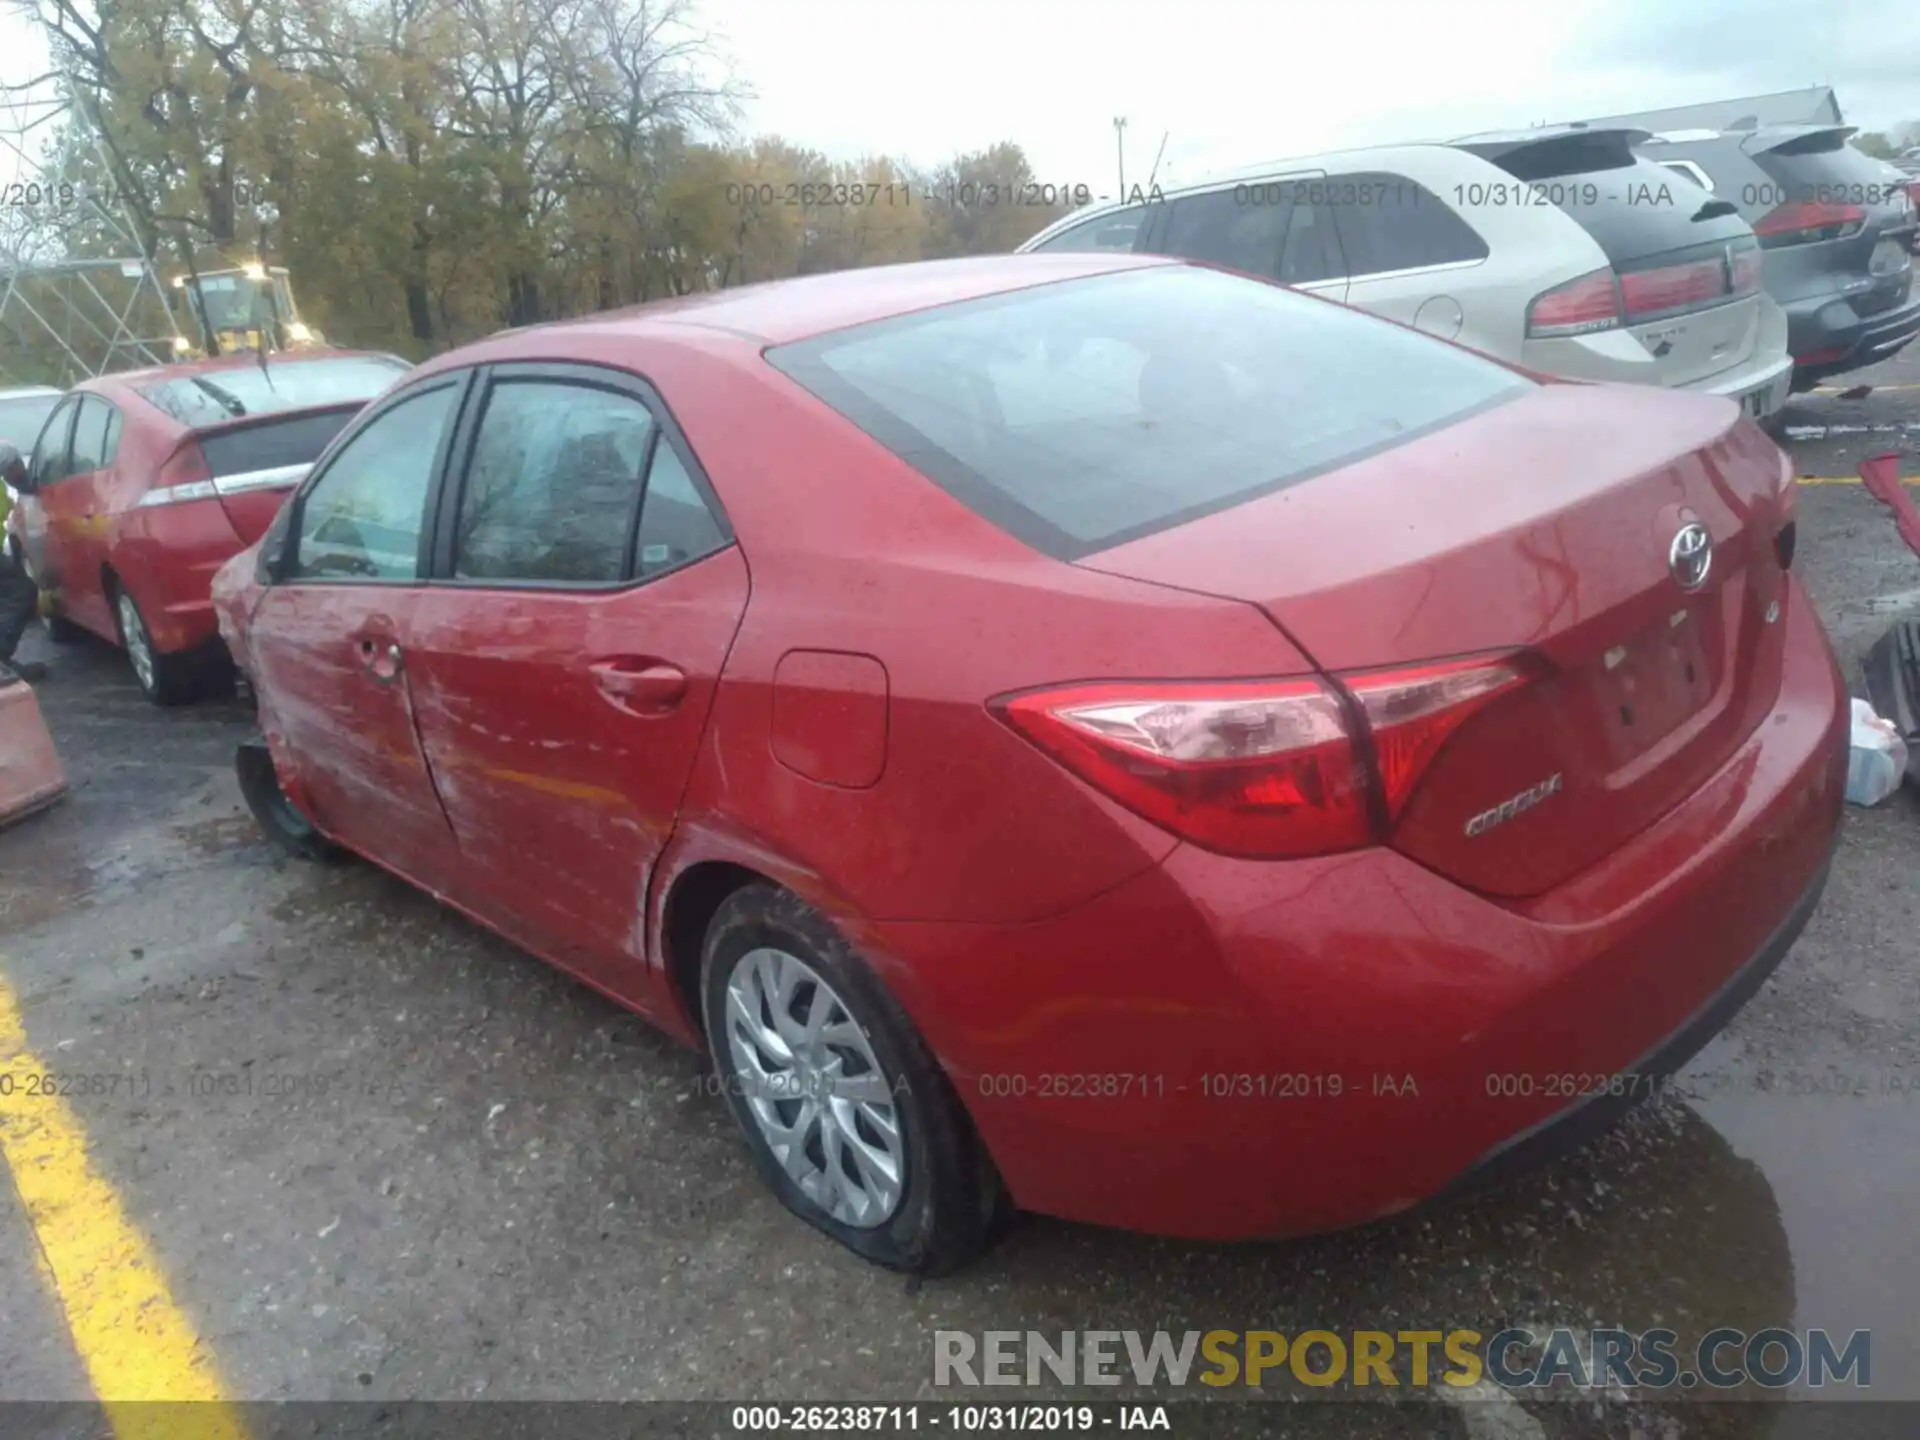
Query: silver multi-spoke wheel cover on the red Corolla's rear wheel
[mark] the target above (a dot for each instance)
(815, 1088)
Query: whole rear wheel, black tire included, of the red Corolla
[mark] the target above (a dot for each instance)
(948, 1201)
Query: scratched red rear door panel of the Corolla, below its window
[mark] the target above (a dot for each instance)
(562, 775)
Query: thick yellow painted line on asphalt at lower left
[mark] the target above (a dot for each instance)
(139, 1347)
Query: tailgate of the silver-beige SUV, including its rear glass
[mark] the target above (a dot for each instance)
(1689, 266)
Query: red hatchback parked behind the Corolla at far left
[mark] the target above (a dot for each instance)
(145, 483)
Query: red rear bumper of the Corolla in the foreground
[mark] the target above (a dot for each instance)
(1230, 1049)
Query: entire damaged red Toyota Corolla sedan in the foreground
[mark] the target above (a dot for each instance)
(1072, 732)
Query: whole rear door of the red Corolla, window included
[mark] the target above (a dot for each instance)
(587, 592)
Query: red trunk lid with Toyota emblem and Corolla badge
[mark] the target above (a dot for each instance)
(1541, 527)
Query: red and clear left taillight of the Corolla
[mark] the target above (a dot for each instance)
(1262, 769)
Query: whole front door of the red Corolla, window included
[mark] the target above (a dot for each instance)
(327, 638)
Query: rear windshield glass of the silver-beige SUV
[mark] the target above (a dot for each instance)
(1637, 210)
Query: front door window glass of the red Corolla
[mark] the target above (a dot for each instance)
(362, 517)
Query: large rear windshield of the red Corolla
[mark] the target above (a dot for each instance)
(1086, 414)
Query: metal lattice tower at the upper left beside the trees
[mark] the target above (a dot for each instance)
(80, 289)
